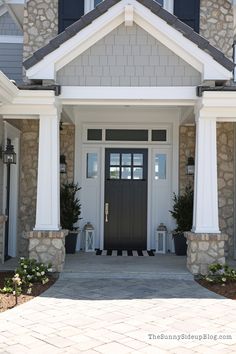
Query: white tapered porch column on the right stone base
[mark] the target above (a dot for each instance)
(205, 216)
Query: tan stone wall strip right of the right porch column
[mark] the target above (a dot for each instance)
(225, 161)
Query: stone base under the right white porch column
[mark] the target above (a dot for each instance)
(203, 250)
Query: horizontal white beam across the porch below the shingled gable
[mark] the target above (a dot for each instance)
(137, 95)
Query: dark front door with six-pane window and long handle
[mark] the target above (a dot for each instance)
(125, 217)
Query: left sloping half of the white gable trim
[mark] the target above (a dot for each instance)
(69, 50)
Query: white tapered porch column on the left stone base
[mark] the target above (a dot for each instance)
(48, 191)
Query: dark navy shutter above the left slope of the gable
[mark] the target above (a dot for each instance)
(69, 12)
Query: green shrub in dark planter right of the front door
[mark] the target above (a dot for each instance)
(183, 214)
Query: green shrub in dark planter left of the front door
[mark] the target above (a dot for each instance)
(70, 212)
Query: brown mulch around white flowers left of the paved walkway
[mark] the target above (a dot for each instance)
(7, 301)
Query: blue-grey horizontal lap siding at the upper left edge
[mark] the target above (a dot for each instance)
(11, 60)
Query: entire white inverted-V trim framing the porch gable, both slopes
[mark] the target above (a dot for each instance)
(159, 29)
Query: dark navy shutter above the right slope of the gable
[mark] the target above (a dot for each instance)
(188, 11)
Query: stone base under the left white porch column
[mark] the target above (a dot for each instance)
(48, 247)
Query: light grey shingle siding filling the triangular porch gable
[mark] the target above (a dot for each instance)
(128, 56)
